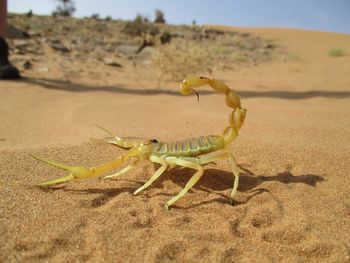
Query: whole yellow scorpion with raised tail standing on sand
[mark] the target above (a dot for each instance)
(186, 153)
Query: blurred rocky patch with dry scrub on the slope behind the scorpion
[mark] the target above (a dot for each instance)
(174, 51)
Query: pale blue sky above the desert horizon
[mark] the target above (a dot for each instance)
(321, 15)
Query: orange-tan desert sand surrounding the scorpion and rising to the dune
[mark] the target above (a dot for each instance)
(293, 202)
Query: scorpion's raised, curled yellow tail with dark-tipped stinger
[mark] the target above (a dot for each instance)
(232, 100)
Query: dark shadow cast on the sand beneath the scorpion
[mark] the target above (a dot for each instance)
(213, 181)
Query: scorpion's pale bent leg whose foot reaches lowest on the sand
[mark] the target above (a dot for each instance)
(194, 179)
